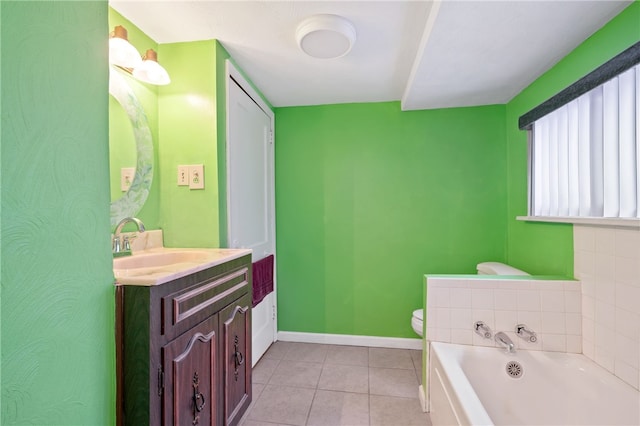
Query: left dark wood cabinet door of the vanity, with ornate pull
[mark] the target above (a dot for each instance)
(190, 375)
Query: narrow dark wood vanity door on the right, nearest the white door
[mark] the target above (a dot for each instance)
(236, 330)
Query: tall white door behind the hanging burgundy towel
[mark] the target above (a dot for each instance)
(250, 194)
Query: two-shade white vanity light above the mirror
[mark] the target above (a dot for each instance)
(124, 55)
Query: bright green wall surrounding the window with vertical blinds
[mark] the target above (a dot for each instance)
(548, 248)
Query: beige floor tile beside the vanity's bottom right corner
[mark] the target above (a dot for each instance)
(282, 404)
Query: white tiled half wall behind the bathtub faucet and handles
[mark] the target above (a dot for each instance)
(550, 307)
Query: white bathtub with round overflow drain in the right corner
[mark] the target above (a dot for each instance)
(470, 385)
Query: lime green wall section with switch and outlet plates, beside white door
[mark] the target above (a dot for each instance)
(188, 136)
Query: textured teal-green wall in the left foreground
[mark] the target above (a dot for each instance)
(57, 320)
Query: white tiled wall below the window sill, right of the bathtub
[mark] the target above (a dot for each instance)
(607, 262)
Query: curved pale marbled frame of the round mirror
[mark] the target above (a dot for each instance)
(132, 201)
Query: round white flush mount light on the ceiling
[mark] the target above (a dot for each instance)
(326, 36)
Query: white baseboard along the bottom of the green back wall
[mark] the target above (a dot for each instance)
(350, 340)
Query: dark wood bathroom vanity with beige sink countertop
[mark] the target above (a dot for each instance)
(183, 335)
